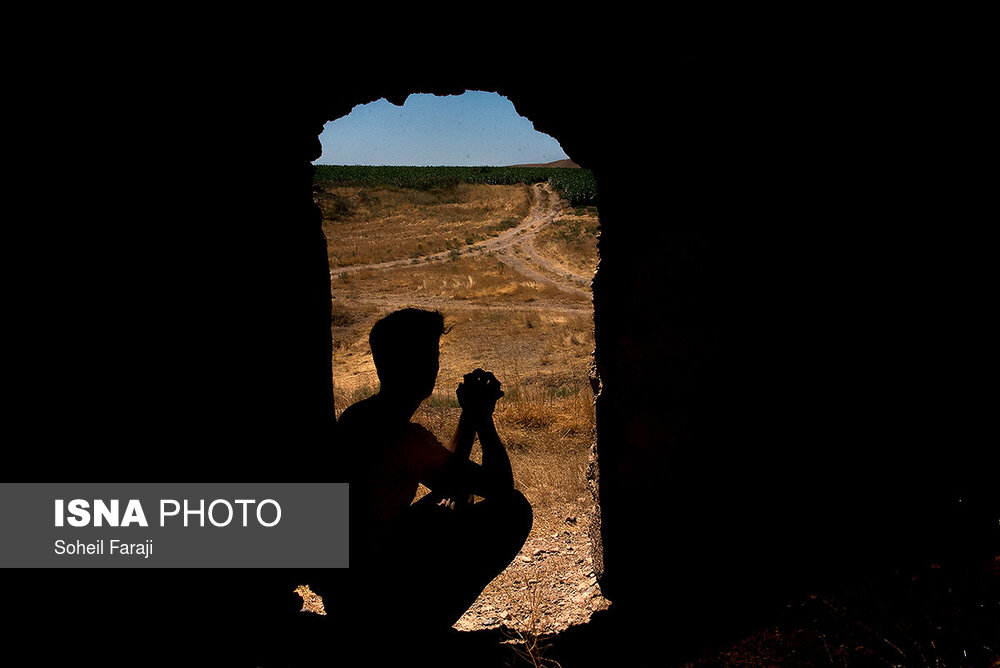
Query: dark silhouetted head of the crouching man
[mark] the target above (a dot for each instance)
(405, 350)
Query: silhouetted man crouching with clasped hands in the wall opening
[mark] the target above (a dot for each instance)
(431, 559)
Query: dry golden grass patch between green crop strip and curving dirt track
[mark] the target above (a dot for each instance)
(368, 225)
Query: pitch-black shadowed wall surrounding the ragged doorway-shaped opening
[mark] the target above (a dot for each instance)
(788, 308)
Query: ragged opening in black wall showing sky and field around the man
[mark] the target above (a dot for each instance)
(457, 204)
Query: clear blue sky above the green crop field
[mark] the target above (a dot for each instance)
(475, 128)
